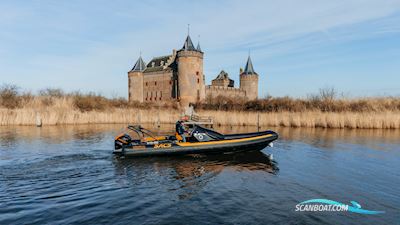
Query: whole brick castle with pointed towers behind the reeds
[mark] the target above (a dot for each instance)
(179, 77)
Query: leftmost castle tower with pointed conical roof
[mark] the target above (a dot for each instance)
(135, 81)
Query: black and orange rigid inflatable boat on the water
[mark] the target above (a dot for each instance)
(199, 140)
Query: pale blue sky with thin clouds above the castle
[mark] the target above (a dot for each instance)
(297, 47)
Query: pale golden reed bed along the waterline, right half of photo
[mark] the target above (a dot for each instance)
(371, 120)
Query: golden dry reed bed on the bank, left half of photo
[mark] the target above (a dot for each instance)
(63, 110)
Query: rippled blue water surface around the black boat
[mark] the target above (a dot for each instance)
(67, 175)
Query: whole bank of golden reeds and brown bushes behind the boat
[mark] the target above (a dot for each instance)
(55, 107)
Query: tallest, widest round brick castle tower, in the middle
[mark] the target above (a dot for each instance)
(190, 73)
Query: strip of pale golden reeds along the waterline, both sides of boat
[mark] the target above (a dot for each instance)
(309, 119)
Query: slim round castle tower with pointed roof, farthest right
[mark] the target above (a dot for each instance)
(249, 81)
